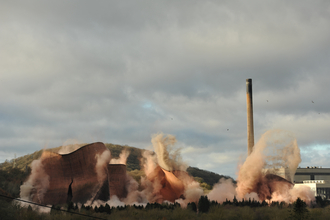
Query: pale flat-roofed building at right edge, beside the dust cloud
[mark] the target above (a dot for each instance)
(317, 178)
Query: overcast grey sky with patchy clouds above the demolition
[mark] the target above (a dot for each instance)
(120, 71)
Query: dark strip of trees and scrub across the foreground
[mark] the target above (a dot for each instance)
(203, 209)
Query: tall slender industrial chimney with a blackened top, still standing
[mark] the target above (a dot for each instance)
(250, 132)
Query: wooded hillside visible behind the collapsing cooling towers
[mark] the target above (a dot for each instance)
(13, 173)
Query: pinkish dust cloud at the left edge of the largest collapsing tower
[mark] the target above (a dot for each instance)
(37, 183)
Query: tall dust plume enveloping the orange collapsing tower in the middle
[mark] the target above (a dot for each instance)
(166, 176)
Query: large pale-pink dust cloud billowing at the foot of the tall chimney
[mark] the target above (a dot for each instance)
(275, 151)
